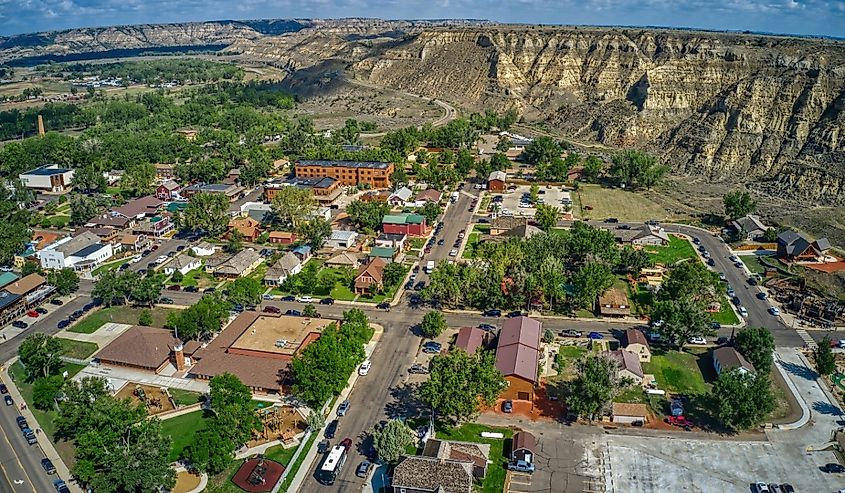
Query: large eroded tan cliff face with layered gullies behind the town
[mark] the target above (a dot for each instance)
(765, 111)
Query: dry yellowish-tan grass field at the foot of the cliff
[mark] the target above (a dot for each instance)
(614, 202)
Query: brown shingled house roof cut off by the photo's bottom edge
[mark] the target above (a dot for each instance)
(430, 474)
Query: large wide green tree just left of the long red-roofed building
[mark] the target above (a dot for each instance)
(458, 383)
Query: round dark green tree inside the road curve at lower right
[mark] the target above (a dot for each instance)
(742, 399)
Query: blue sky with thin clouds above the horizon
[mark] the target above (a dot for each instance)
(813, 17)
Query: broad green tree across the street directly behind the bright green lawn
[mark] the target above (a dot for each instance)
(681, 319)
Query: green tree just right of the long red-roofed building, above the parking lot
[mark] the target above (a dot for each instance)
(592, 391)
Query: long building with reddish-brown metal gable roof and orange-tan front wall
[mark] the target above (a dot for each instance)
(518, 357)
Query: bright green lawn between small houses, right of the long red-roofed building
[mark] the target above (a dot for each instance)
(679, 372)
